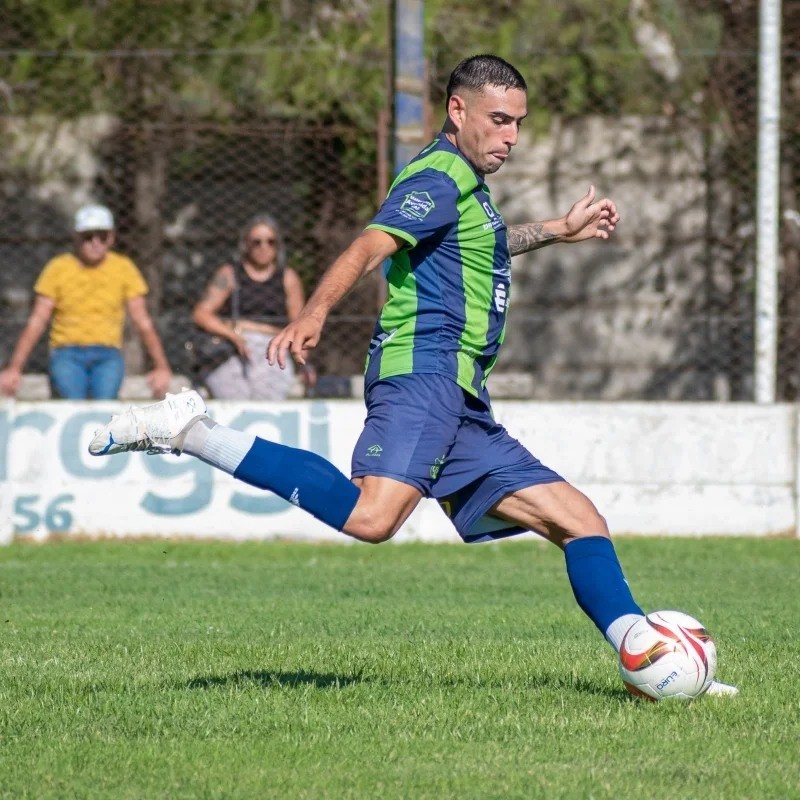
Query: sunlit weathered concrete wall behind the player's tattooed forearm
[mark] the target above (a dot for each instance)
(652, 313)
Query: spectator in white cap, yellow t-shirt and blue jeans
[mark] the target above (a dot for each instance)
(86, 294)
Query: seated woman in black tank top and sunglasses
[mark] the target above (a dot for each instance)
(247, 303)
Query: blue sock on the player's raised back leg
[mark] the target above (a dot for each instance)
(302, 478)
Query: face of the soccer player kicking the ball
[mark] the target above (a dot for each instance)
(487, 124)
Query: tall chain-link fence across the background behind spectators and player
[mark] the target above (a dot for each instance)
(186, 121)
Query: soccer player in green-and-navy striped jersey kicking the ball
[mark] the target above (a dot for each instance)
(429, 430)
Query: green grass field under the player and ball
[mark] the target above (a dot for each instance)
(210, 670)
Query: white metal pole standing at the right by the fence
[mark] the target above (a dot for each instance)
(767, 213)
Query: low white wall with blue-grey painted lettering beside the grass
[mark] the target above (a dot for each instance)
(652, 469)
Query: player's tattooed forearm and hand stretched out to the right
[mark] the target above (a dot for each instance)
(587, 219)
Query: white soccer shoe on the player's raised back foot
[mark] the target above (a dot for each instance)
(153, 428)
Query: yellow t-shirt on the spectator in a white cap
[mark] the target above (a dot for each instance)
(89, 301)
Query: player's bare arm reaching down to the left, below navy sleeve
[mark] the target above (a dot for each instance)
(366, 253)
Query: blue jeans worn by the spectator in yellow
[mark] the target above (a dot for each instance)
(82, 372)
